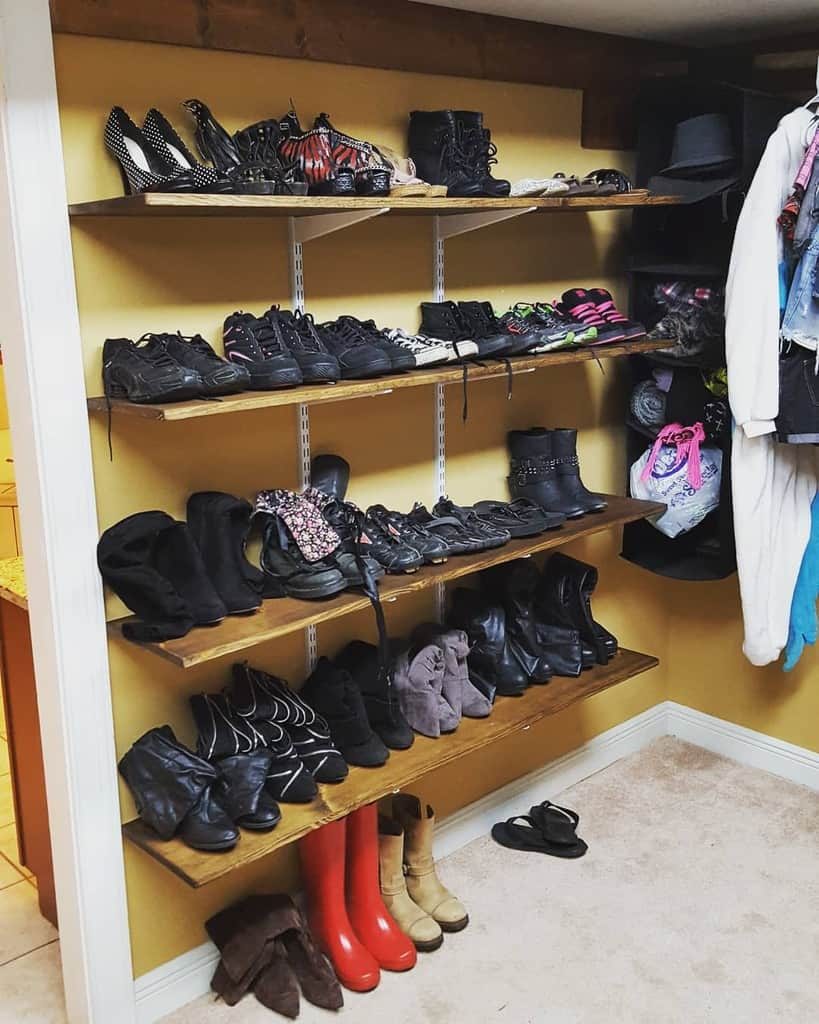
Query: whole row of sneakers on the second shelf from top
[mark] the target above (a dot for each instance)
(284, 349)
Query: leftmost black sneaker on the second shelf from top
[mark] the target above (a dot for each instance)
(146, 373)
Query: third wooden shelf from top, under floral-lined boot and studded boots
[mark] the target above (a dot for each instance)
(279, 617)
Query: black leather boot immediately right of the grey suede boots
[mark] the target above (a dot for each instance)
(493, 668)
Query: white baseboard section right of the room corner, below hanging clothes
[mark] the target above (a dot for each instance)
(746, 746)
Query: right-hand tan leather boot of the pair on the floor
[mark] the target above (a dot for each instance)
(423, 884)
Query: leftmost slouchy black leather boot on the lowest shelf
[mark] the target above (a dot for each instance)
(174, 792)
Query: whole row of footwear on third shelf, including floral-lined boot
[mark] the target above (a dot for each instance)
(176, 576)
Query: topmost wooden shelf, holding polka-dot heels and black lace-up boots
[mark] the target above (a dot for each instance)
(182, 205)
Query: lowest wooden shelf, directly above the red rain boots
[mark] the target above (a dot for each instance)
(365, 786)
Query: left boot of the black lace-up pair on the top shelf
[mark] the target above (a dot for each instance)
(438, 148)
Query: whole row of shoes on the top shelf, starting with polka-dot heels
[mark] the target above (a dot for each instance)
(451, 154)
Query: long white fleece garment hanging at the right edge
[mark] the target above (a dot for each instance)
(773, 484)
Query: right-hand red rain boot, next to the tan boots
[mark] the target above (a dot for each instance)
(371, 920)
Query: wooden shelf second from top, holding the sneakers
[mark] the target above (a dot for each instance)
(318, 394)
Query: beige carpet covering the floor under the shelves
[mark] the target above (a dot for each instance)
(699, 902)
